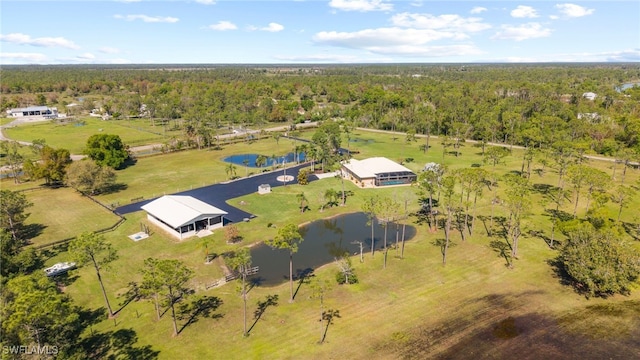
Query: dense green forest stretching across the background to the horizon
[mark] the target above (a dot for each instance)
(530, 105)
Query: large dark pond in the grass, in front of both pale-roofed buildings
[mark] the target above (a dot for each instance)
(323, 241)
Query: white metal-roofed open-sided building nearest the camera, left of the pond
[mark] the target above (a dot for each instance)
(183, 216)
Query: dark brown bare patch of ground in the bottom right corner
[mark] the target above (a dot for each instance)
(504, 329)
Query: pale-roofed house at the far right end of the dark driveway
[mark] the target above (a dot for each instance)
(376, 171)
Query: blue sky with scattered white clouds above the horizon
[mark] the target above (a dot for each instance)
(317, 31)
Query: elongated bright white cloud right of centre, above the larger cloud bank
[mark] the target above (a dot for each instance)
(441, 22)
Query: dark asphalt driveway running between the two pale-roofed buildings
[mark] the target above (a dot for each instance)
(218, 194)
